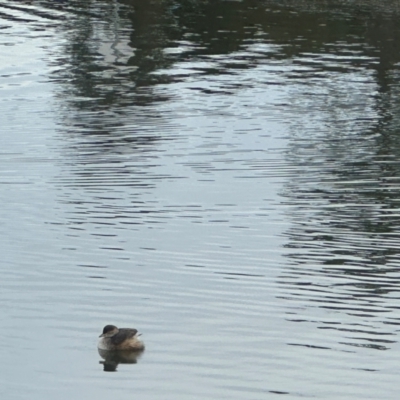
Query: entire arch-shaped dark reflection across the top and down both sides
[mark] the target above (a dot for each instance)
(337, 64)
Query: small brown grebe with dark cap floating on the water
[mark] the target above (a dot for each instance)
(113, 338)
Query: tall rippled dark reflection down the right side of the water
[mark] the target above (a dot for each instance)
(342, 204)
